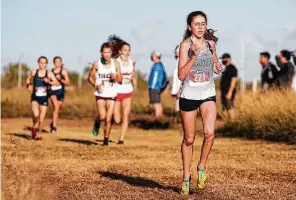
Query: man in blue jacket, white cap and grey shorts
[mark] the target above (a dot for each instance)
(155, 83)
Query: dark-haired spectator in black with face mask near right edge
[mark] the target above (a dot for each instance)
(287, 70)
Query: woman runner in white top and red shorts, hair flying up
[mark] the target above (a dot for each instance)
(122, 51)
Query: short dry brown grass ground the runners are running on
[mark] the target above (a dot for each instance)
(73, 165)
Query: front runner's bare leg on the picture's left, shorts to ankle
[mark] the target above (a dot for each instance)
(188, 122)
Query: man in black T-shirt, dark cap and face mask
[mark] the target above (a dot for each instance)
(228, 85)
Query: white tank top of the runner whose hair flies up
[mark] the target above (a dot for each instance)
(126, 73)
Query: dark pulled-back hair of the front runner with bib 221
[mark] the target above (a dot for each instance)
(209, 35)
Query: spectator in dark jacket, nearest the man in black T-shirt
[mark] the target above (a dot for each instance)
(269, 71)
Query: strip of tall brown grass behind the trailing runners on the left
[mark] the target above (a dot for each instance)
(78, 104)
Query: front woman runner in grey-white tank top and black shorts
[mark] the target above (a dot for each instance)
(197, 62)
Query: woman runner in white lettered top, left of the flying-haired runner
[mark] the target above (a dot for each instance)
(106, 72)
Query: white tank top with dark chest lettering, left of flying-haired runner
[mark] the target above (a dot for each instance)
(103, 77)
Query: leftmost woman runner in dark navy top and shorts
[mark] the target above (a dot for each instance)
(42, 79)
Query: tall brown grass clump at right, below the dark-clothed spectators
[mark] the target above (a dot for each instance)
(270, 116)
